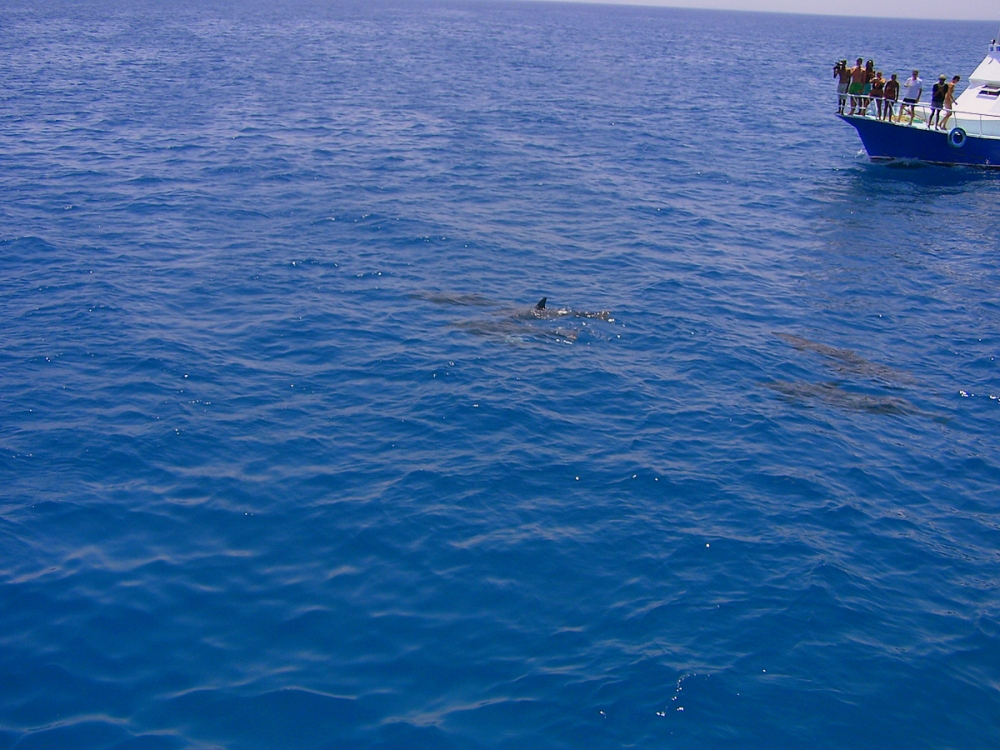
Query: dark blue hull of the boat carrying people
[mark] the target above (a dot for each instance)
(886, 141)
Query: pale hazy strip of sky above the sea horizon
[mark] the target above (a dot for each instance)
(959, 9)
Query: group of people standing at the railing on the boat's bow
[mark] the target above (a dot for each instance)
(865, 86)
